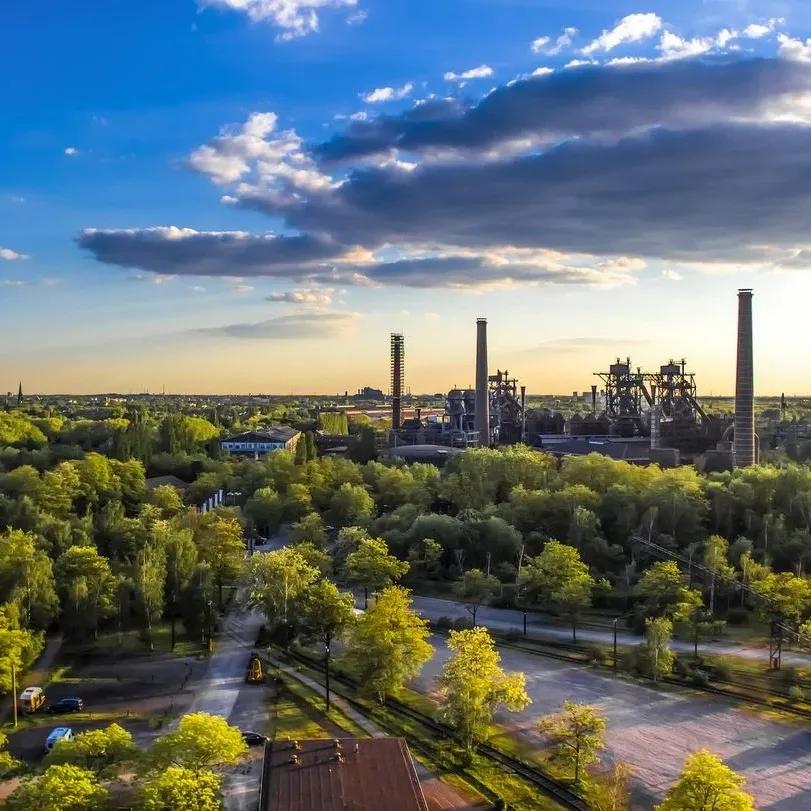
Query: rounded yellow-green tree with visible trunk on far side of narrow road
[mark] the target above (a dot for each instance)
(558, 580)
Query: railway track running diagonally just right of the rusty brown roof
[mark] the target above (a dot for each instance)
(550, 787)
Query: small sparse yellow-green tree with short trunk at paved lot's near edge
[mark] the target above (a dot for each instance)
(577, 734)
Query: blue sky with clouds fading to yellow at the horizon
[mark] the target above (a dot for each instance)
(243, 196)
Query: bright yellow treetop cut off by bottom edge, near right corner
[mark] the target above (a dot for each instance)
(706, 783)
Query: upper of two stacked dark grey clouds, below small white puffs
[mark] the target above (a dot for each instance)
(589, 101)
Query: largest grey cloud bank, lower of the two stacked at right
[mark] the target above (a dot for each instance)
(705, 194)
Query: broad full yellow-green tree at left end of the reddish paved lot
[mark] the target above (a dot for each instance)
(388, 644)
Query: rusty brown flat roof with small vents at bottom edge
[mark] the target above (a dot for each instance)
(362, 774)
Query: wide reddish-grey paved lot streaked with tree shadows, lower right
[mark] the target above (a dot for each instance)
(655, 730)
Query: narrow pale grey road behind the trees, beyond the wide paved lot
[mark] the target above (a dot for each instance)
(538, 627)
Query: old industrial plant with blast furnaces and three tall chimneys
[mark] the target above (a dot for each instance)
(638, 415)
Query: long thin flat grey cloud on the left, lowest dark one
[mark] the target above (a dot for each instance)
(172, 250)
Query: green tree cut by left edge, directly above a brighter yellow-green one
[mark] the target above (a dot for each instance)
(26, 578)
